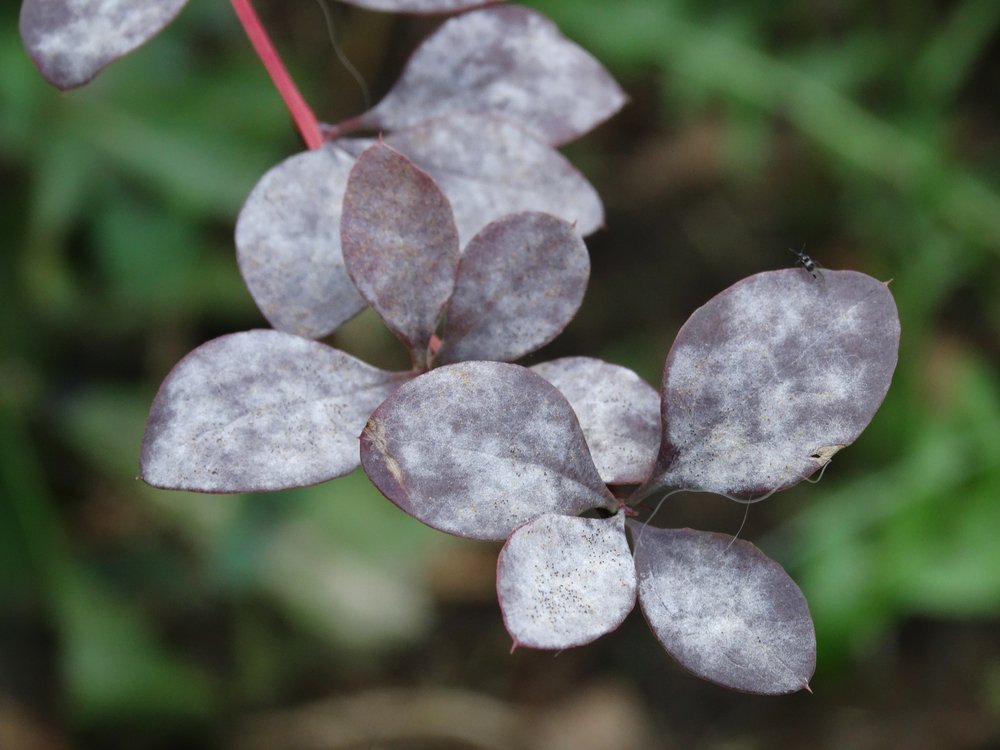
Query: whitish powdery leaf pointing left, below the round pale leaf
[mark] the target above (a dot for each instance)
(260, 410)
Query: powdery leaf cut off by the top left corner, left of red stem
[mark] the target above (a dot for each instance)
(72, 40)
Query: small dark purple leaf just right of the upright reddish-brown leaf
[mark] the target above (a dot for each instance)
(520, 282)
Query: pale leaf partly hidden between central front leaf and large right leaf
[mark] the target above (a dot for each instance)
(618, 411)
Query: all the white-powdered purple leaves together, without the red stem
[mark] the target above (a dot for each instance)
(469, 247)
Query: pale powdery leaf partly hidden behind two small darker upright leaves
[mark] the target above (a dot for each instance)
(488, 167)
